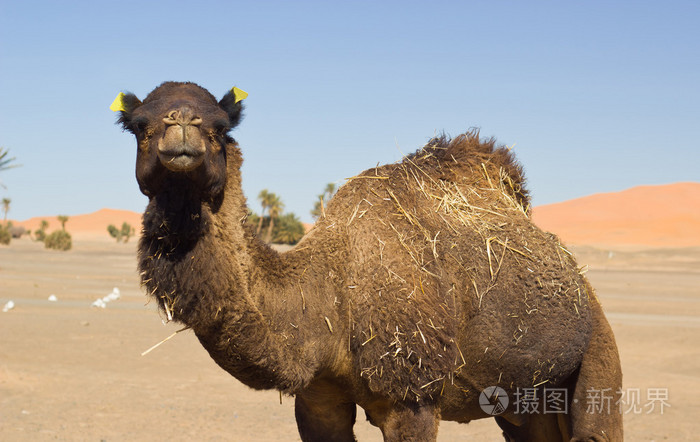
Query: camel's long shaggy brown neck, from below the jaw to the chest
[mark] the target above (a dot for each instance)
(205, 270)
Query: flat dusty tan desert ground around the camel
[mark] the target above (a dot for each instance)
(72, 372)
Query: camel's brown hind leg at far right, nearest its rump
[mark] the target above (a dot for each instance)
(595, 416)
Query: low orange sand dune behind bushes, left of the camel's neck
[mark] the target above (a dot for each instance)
(89, 225)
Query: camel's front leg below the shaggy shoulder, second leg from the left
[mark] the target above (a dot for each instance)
(403, 423)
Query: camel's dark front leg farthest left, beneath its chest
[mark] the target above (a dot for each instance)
(324, 418)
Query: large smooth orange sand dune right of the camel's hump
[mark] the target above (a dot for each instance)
(658, 216)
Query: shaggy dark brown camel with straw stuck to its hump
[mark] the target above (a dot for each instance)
(423, 288)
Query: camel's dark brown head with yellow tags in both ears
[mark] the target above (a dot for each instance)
(181, 131)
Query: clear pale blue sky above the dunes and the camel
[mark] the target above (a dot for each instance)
(597, 96)
